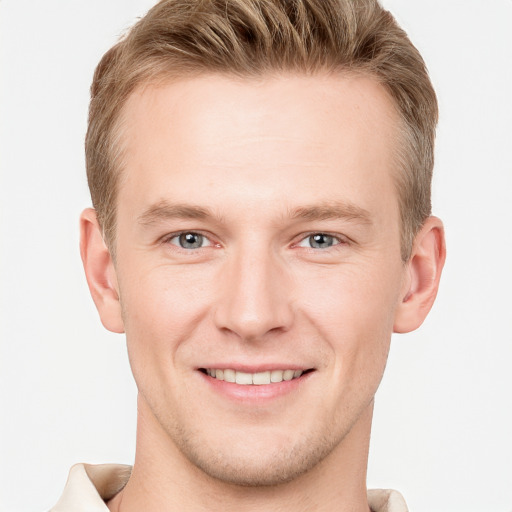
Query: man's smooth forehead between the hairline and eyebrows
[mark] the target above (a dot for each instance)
(273, 140)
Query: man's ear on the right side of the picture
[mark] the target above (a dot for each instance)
(422, 276)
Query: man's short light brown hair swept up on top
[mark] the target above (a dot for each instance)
(179, 38)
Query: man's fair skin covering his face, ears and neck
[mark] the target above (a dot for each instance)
(257, 167)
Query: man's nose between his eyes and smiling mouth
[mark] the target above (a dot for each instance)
(257, 296)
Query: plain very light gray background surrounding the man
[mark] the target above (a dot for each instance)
(443, 417)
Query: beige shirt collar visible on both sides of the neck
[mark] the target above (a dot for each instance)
(90, 486)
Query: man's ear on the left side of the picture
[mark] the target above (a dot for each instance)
(100, 272)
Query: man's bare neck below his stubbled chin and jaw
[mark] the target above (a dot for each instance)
(164, 479)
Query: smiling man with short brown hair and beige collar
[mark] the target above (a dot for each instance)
(260, 172)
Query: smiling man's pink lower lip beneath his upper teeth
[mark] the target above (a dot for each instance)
(254, 393)
